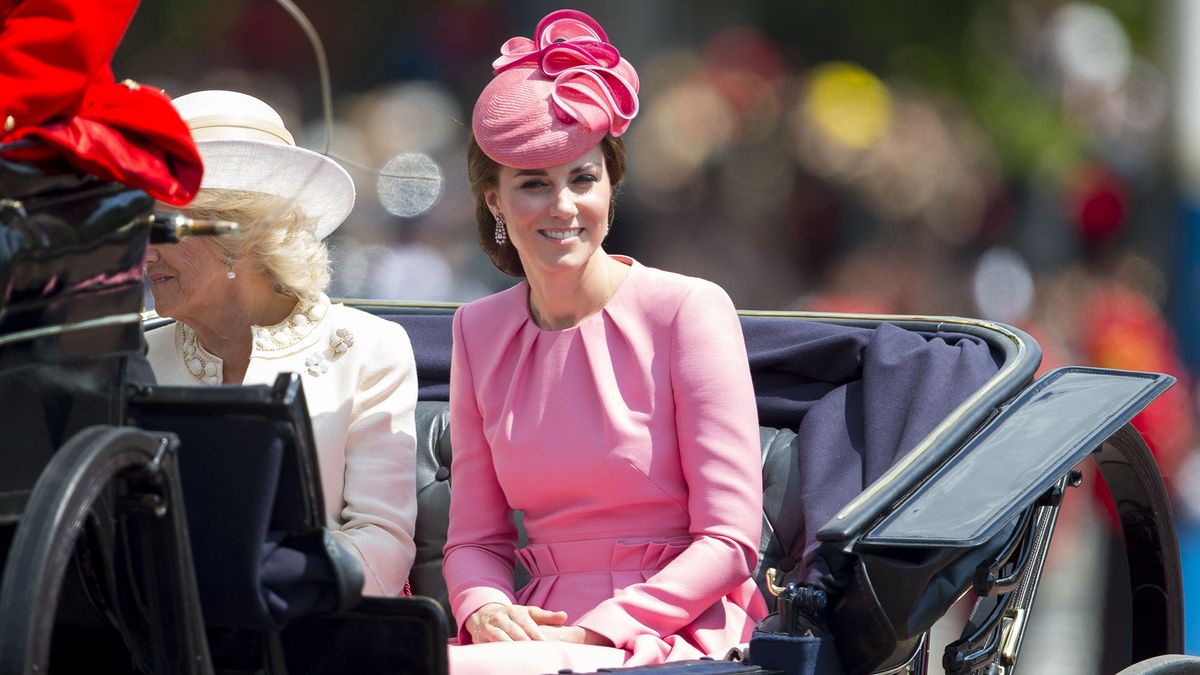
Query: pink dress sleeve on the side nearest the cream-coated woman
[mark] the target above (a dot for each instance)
(478, 560)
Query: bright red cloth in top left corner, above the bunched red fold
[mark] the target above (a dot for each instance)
(52, 50)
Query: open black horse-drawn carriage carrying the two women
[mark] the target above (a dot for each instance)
(152, 528)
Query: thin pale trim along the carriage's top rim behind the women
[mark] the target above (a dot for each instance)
(922, 447)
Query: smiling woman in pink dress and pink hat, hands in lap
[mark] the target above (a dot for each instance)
(609, 402)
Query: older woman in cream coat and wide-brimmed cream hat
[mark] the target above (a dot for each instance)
(254, 306)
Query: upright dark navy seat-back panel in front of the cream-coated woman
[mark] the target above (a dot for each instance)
(255, 509)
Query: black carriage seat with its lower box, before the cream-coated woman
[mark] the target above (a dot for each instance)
(274, 583)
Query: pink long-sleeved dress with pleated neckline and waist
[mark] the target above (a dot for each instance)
(631, 444)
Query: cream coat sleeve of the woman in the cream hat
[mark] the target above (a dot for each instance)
(380, 516)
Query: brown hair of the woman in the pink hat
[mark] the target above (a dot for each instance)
(483, 175)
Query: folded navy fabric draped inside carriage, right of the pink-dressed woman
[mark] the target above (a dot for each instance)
(860, 399)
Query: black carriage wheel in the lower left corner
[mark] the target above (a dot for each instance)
(51, 525)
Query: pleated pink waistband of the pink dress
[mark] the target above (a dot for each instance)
(627, 554)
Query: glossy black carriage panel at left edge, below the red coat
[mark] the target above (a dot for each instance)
(71, 252)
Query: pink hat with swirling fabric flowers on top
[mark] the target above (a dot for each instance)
(556, 97)
